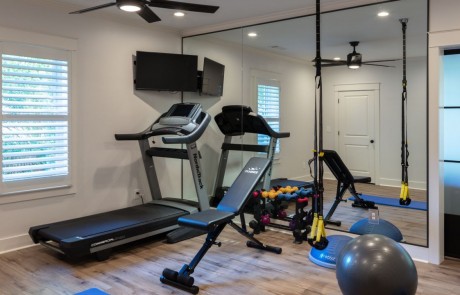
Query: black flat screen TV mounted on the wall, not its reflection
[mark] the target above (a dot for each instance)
(165, 71)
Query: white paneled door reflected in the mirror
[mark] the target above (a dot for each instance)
(357, 131)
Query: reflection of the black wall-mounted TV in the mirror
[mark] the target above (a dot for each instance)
(212, 78)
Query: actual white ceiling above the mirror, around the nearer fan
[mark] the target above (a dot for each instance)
(231, 13)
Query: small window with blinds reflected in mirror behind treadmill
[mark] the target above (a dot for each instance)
(268, 106)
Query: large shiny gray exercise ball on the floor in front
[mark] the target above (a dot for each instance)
(375, 264)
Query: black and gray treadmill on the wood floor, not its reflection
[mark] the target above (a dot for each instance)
(183, 123)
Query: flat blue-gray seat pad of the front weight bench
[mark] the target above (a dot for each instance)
(205, 220)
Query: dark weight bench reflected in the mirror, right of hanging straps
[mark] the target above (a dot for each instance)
(345, 181)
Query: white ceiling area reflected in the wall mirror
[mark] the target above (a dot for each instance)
(380, 38)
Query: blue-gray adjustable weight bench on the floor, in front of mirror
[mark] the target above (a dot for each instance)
(214, 221)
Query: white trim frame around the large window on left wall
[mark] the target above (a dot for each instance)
(21, 43)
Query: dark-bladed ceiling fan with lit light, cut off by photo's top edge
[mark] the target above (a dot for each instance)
(141, 7)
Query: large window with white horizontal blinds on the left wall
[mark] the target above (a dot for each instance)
(34, 118)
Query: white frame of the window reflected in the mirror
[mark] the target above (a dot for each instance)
(268, 79)
